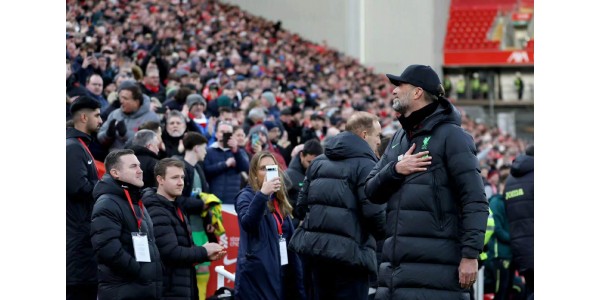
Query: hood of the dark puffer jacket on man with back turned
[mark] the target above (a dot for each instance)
(348, 145)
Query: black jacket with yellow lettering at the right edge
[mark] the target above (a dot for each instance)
(519, 210)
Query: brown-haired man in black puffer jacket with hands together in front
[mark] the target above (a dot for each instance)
(173, 234)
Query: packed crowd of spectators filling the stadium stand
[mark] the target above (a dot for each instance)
(200, 64)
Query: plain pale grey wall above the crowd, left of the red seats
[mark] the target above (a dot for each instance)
(394, 34)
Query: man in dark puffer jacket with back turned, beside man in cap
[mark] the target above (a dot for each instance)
(337, 235)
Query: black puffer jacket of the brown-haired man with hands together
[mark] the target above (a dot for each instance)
(174, 241)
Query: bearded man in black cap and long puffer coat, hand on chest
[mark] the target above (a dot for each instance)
(436, 205)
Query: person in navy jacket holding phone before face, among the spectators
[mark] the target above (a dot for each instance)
(224, 162)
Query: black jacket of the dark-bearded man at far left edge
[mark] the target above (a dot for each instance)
(81, 178)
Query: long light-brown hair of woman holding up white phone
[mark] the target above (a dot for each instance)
(284, 204)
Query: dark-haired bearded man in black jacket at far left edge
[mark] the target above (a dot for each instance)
(82, 281)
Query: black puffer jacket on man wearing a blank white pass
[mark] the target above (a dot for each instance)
(120, 276)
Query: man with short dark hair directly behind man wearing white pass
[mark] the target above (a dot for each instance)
(146, 145)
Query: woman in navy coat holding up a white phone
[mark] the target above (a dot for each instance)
(265, 267)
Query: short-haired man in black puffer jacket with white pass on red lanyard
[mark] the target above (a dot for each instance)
(118, 219)
